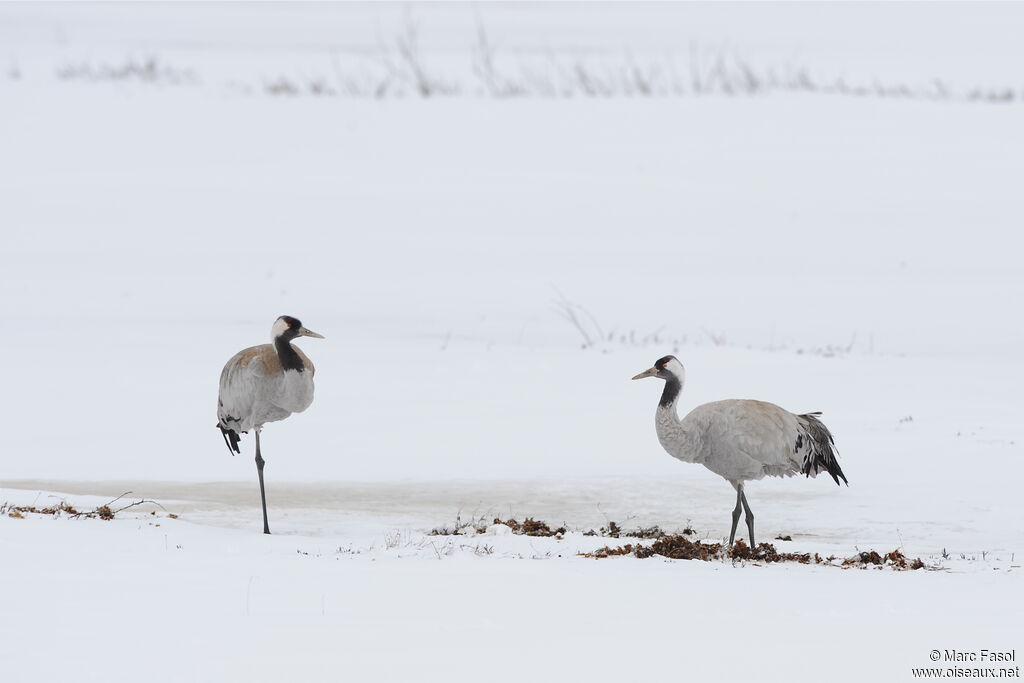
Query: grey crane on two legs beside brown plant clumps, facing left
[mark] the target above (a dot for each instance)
(741, 441)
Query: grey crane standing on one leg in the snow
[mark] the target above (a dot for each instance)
(264, 385)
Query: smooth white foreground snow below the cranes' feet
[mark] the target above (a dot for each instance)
(189, 601)
